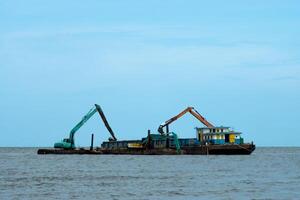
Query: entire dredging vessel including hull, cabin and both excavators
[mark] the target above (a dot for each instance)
(209, 140)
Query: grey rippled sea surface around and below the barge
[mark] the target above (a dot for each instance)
(269, 173)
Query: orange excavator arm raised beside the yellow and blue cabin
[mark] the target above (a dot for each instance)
(191, 110)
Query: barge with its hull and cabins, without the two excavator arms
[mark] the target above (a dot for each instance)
(214, 141)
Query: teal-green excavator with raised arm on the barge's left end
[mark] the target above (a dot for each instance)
(69, 143)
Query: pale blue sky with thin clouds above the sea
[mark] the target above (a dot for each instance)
(236, 62)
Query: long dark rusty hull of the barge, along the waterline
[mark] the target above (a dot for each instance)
(244, 149)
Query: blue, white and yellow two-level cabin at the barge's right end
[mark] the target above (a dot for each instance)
(218, 135)
